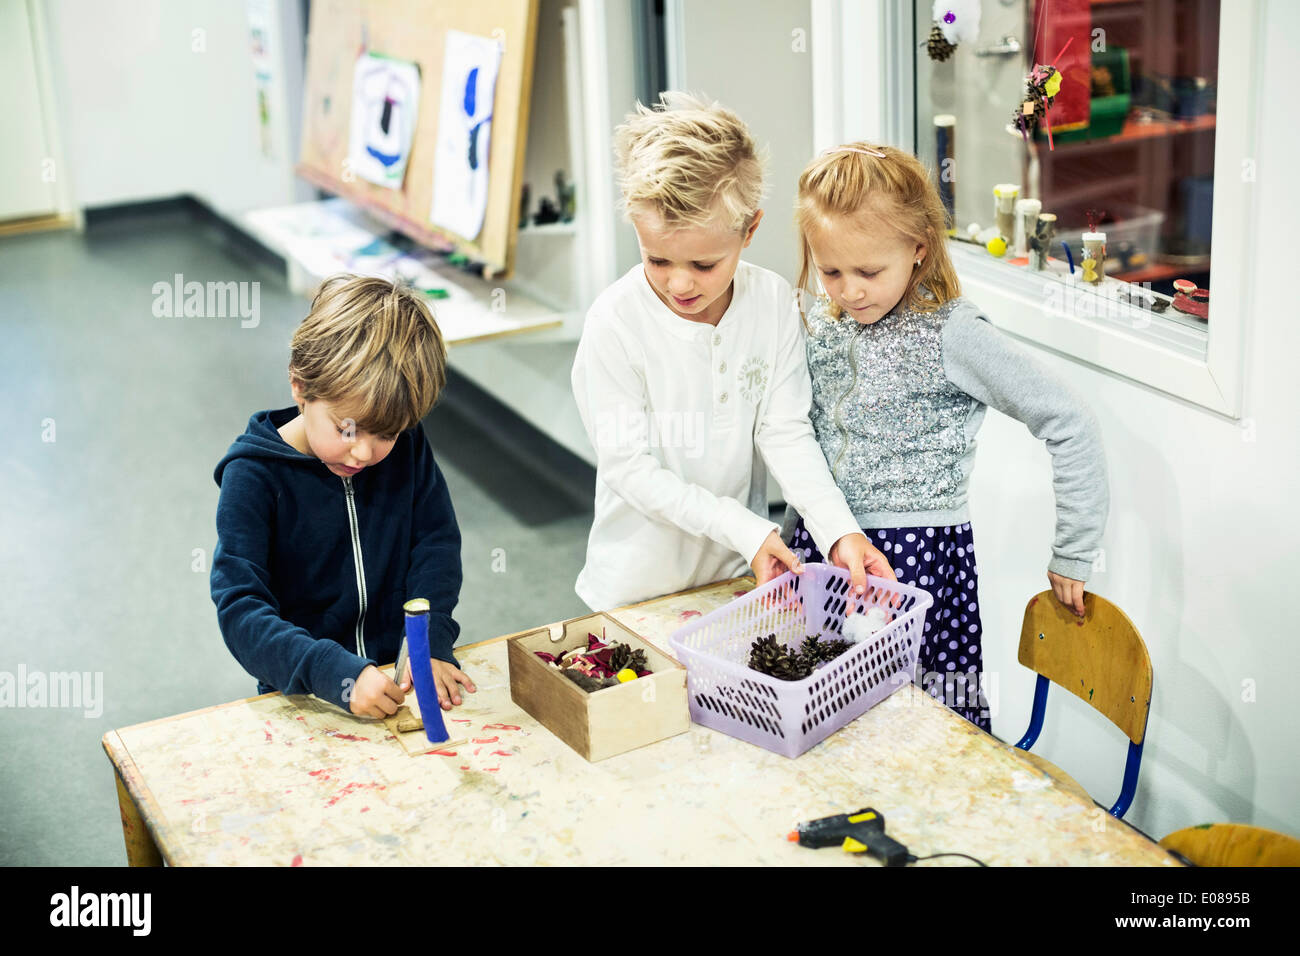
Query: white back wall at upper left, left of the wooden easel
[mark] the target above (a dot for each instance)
(150, 109)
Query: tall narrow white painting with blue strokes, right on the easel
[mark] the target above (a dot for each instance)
(465, 126)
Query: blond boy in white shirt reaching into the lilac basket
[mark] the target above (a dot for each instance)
(692, 375)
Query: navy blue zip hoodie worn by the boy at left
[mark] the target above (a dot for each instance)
(311, 569)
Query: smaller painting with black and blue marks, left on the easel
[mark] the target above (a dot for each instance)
(385, 103)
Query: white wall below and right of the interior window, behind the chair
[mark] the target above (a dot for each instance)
(1199, 551)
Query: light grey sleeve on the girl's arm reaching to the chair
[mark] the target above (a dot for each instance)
(987, 366)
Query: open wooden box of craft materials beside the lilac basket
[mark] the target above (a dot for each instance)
(606, 723)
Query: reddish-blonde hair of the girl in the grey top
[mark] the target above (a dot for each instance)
(894, 188)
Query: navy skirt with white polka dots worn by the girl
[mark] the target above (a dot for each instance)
(943, 563)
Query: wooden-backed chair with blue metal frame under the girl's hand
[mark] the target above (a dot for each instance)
(1102, 660)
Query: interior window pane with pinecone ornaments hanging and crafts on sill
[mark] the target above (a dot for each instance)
(1076, 139)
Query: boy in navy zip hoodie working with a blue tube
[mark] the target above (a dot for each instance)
(333, 513)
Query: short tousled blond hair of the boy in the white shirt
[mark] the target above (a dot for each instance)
(690, 161)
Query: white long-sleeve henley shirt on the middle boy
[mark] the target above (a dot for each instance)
(683, 417)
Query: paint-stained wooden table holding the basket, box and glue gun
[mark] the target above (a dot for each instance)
(293, 781)
